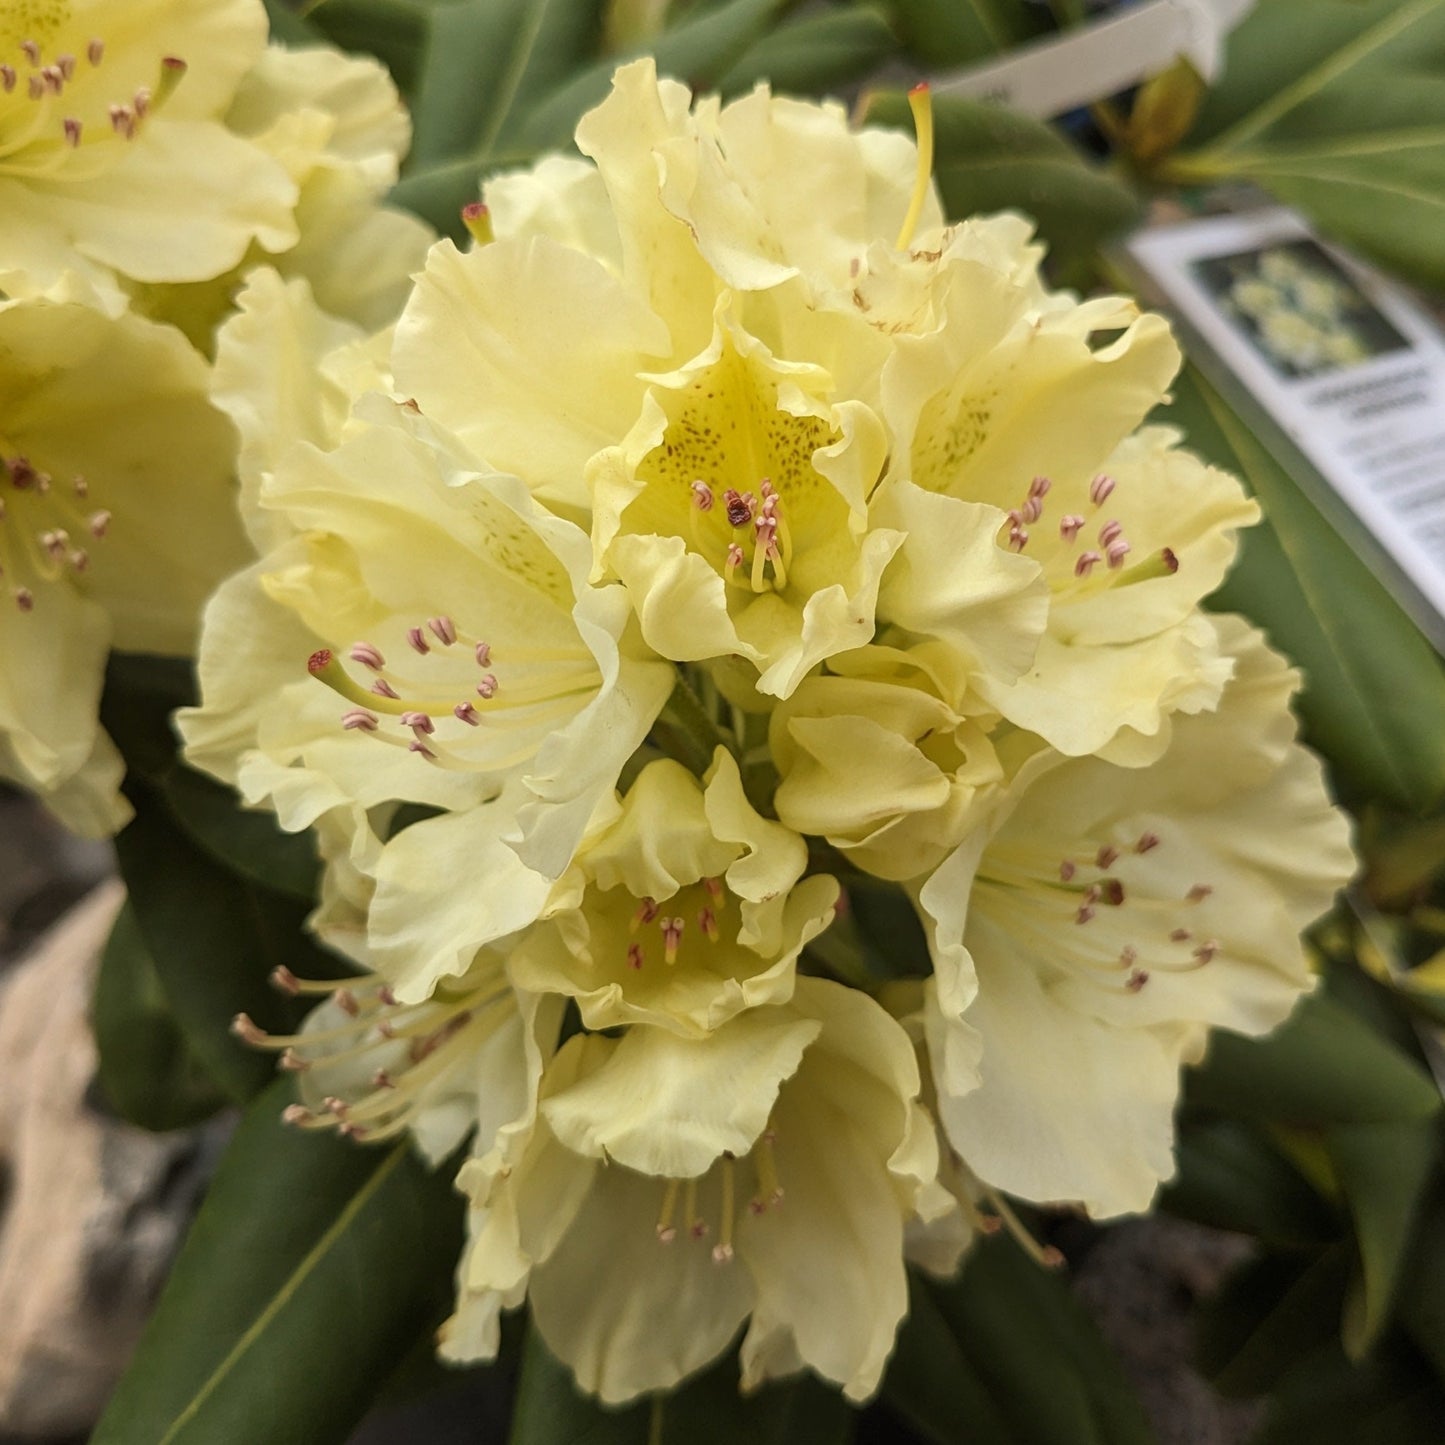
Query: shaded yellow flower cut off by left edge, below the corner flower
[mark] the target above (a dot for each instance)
(118, 517)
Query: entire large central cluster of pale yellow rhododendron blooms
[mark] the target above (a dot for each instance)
(723, 532)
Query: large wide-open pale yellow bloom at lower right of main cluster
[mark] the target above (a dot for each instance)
(1087, 940)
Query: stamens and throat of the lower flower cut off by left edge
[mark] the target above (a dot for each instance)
(46, 527)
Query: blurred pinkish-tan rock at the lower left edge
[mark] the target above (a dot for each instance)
(93, 1209)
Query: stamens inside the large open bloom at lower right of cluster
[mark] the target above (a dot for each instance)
(1080, 911)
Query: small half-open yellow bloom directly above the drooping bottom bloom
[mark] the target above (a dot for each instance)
(684, 910)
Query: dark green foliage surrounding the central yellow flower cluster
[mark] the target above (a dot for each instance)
(316, 1265)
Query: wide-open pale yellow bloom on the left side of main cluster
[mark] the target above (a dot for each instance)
(457, 660)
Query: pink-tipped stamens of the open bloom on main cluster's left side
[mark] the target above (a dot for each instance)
(470, 687)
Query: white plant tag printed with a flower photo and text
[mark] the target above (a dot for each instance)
(1337, 368)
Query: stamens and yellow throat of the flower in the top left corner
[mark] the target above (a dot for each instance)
(54, 105)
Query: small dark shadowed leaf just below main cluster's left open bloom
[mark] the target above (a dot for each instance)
(246, 840)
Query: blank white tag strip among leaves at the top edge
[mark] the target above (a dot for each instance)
(1102, 59)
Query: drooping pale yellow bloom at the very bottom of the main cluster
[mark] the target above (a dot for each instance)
(674, 1189)
